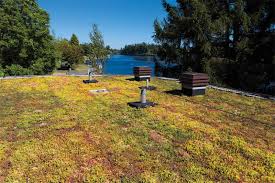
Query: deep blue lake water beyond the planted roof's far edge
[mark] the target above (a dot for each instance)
(123, 65)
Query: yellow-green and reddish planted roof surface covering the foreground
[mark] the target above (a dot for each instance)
(53, 130)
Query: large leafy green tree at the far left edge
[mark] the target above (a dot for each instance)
(25, 39)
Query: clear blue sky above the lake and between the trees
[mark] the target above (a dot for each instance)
(120, 21)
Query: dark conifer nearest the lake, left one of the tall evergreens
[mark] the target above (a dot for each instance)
(185, 35)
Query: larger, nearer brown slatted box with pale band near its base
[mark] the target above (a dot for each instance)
(194, 83)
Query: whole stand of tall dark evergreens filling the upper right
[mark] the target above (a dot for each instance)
(235, 32)
